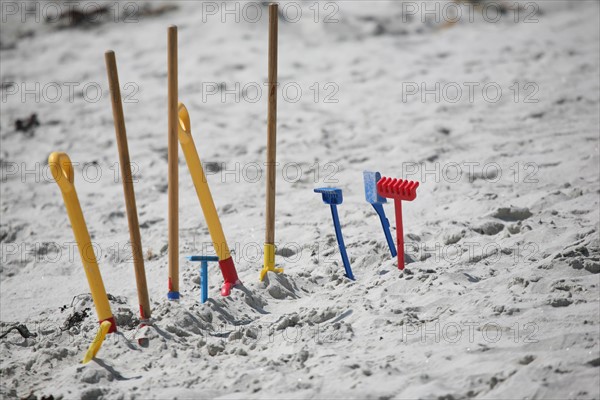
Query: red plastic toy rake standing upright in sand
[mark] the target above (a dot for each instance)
(398, 189)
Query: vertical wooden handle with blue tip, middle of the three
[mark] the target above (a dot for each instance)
(173, 161)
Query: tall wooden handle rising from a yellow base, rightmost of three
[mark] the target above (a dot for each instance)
(272, 125)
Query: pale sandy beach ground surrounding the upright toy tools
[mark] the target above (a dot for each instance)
(501, 299)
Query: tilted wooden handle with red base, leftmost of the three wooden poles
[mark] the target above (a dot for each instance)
(132, 217)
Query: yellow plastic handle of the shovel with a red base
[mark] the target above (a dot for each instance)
(206, 201)
